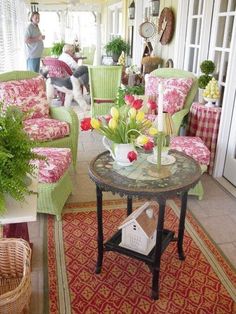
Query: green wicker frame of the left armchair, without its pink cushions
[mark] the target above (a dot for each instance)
(58, 113)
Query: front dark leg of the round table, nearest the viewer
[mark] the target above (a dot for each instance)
(157, 257)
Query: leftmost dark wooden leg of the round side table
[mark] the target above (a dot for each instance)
(100, 231)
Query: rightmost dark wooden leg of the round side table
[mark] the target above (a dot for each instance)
(183, 208)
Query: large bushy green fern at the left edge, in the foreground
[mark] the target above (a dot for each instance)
(15, 155)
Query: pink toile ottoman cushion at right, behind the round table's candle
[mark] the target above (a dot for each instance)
(193, 147)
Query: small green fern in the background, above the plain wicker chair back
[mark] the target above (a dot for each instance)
(115, 47)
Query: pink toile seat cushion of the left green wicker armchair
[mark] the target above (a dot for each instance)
(45, 129)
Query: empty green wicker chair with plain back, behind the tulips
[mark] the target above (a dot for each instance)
(104, 83)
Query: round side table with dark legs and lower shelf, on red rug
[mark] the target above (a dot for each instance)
(142, 180)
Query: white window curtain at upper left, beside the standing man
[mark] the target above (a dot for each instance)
(13, 22)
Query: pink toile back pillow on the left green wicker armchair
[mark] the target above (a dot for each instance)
(27, 94)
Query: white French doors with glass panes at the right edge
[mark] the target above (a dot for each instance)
(211, 34)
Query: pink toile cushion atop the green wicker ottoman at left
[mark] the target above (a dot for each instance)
(57, 162)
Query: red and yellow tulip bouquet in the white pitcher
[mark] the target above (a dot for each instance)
(126, 124)
